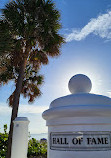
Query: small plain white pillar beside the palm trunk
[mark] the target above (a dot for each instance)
(20, 138)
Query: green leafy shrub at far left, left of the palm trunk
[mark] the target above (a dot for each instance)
(3, 142)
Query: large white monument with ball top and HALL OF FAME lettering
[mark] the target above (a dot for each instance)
(79, 125)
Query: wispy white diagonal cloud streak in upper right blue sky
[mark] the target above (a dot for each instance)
(100, 26)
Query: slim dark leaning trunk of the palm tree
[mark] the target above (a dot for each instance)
(15, 105)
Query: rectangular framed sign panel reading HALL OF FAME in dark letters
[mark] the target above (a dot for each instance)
(80, 141)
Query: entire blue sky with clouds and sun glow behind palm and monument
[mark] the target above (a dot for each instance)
(86, 26)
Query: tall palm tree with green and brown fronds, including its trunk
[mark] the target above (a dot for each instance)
(28, 36)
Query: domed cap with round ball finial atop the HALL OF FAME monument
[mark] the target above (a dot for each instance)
(80, 103)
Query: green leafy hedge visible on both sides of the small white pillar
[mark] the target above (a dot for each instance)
(36, 149)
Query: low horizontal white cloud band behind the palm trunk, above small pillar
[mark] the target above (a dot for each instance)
(29, 109)
